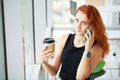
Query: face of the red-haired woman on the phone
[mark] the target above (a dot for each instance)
(81, 23)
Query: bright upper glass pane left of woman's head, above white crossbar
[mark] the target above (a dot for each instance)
(61, 10)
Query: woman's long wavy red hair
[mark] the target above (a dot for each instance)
(95, 20)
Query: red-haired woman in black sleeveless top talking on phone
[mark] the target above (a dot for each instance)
(78, 57)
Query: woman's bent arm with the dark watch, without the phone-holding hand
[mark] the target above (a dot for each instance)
(87, 64)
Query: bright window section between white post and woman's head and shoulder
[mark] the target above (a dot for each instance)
(63, 17)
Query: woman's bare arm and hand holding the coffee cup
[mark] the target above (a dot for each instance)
(52, 69)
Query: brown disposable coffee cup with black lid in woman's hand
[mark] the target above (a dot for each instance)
(49, 43)
